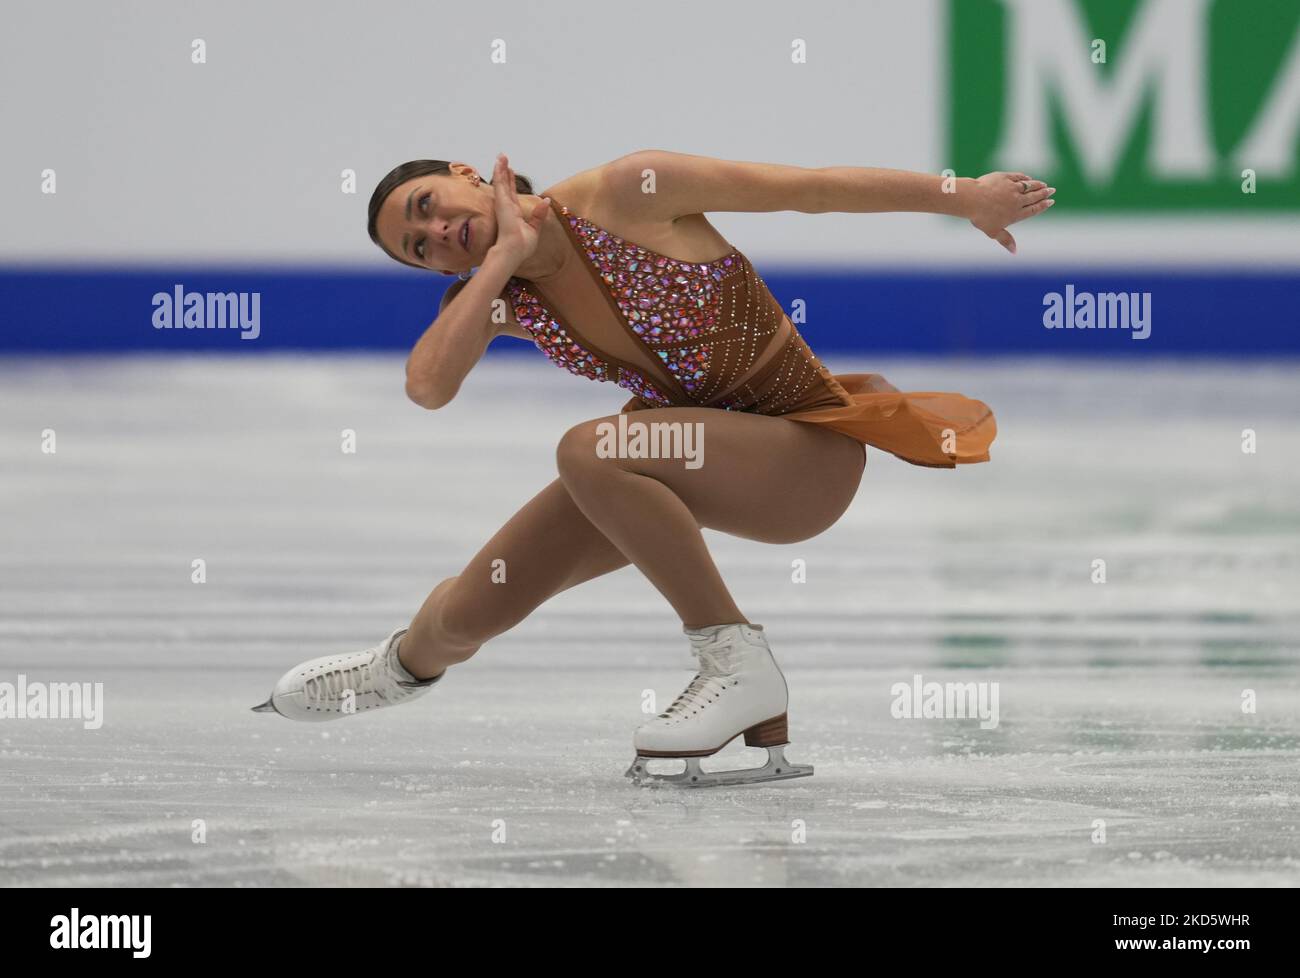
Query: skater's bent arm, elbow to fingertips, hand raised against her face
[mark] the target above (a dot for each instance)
(460, 336)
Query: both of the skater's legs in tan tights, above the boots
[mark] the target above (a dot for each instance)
(765, 479)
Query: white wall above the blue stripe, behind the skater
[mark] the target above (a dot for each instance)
(240, 159)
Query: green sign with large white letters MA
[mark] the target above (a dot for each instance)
(1132, 105)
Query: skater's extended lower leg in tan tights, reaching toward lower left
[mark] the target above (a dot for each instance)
(547, 548)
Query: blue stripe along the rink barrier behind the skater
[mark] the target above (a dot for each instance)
(1193, 311)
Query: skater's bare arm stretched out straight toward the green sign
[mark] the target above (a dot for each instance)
(684, 184)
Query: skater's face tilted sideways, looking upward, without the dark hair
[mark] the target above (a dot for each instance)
(427, 220)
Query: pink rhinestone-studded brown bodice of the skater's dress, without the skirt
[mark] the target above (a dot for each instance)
(699, 328)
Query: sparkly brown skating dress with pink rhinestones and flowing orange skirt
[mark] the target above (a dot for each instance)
(710, 335)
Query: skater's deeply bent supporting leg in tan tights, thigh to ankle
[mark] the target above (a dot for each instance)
(762, 478)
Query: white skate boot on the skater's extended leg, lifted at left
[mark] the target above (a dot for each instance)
(332, 687)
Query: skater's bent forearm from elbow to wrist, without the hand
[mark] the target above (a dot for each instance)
(457, 340)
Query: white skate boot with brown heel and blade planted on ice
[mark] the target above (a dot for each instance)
(739, 690)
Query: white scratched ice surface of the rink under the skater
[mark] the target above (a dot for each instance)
(1120, 702)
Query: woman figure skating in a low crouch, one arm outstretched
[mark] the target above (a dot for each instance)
(617, 275)
